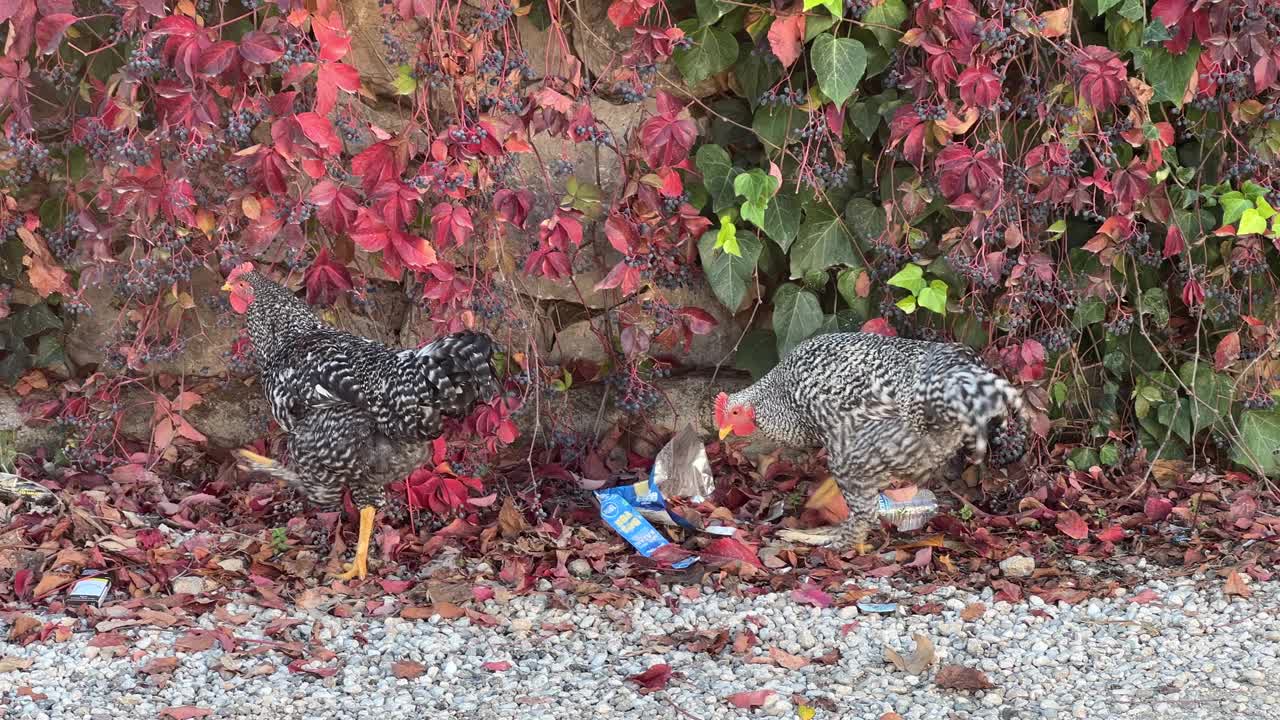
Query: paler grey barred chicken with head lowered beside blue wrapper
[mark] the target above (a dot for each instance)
(883, 407)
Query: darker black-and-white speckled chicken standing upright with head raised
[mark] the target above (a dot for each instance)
(358, 413)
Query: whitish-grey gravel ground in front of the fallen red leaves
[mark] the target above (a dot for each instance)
(1188, 654)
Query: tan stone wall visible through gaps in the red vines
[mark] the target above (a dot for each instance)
(552, 321)
